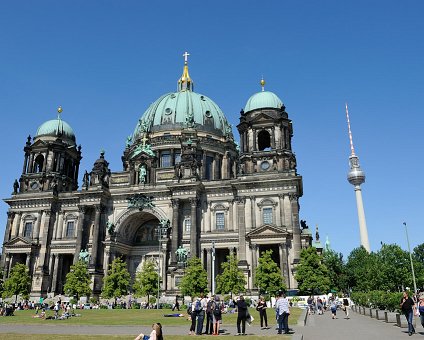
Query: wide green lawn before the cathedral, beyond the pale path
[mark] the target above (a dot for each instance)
(130, 317)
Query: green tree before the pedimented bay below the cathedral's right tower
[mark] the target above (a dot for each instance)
(268, 277)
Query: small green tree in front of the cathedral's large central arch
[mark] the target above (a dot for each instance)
(146, 280)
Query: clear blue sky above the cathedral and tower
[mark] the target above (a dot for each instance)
(106, 61)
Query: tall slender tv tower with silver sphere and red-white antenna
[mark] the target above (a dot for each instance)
(356, 177)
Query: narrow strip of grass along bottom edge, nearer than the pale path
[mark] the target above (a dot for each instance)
(118, 337)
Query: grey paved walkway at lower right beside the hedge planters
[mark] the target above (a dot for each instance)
(357, 327)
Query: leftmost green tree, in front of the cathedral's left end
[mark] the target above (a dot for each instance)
(18, 282)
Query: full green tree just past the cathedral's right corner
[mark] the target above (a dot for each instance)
(311, 273)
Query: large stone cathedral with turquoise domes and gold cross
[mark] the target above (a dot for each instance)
(182, 174)
